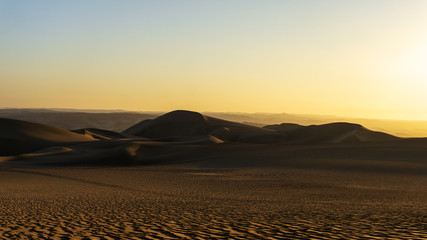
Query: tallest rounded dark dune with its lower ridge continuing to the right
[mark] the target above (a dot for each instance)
(186, 123)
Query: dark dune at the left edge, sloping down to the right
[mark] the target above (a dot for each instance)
(18, 137)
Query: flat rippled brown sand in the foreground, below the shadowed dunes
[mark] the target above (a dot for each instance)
(189, 201)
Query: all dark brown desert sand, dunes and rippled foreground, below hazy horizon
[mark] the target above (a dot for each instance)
(184, 175)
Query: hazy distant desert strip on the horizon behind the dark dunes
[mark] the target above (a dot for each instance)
(118, 121)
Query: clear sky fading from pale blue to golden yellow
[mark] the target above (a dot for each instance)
(361, 58)
